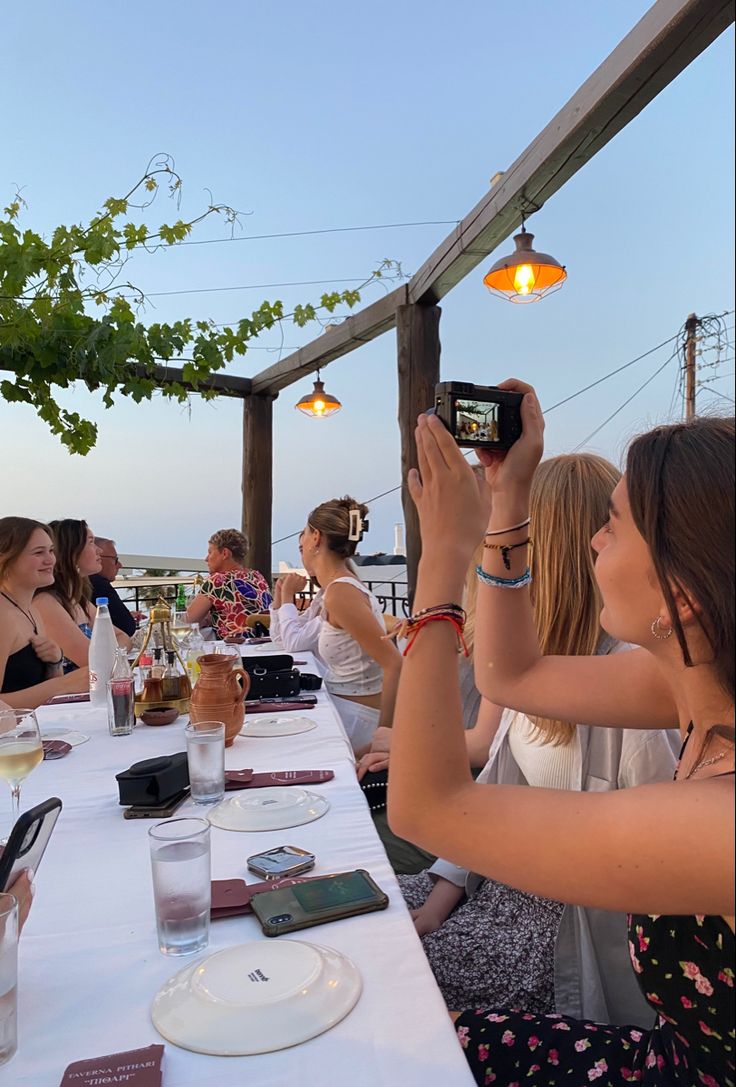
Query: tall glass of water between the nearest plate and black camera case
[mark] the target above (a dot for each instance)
(182, 890)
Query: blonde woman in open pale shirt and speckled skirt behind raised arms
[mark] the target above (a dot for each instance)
(492, 944)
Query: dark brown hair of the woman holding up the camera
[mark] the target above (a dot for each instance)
(681, 491)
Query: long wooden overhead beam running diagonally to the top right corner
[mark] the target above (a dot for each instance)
(655, 53)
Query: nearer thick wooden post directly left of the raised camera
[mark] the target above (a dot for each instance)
(418, 342)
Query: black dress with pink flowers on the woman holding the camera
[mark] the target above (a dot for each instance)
(685, 969)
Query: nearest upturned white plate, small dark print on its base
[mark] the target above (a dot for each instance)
(257, 998)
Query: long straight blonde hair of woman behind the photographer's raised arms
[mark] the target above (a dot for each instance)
(570, 503)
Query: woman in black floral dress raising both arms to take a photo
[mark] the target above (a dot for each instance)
(663, 853)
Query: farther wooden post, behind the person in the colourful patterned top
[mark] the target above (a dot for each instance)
(258, 481)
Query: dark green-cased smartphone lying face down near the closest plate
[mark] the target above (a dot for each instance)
(318, 902)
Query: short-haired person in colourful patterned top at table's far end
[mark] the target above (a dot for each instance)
(231, 593)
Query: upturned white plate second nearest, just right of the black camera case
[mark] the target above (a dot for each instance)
(272, 809)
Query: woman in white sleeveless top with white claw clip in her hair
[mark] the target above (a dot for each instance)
(363, 667)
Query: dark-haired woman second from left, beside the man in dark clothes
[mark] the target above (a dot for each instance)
(66, 606)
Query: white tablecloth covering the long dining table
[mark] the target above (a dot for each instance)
(90, 964)
